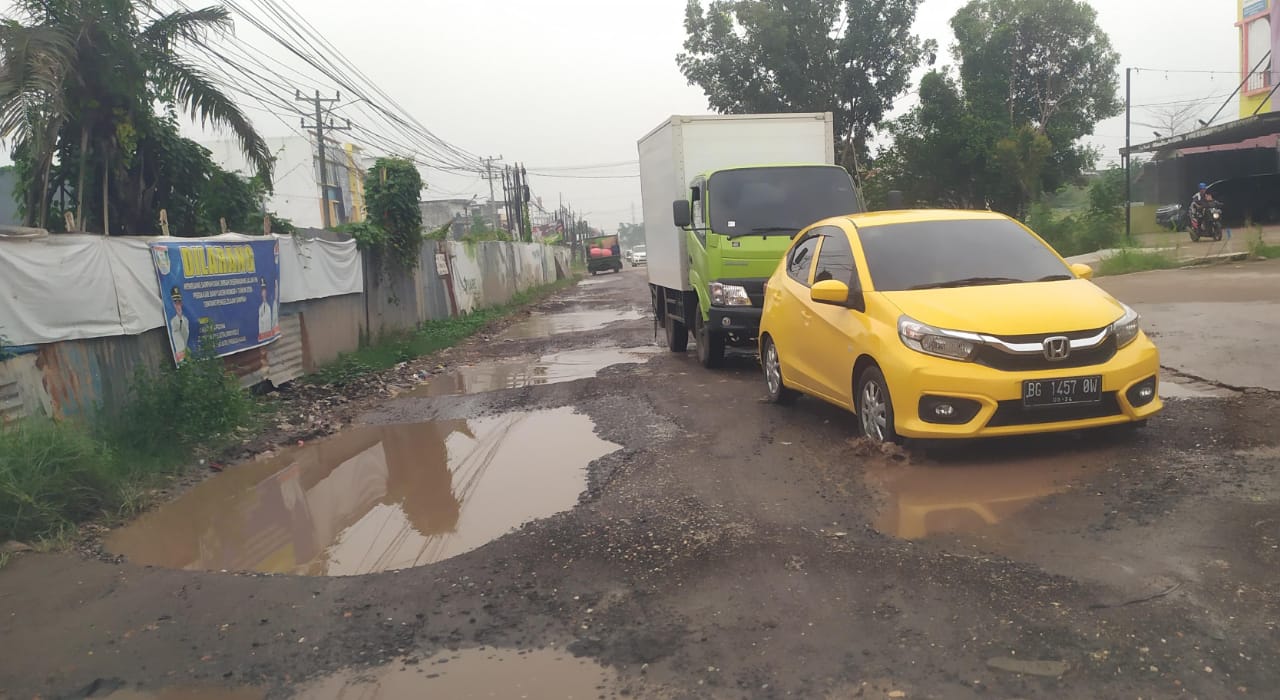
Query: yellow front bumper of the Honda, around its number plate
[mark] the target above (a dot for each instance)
(996, 397)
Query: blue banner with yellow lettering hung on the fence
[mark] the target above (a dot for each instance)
(225, 294)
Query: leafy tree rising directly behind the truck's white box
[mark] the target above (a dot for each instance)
(847, 57)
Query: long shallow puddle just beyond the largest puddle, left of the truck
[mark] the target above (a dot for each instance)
(518, 374)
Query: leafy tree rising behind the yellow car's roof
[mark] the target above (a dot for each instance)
(1035, 77)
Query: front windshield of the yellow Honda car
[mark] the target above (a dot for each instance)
(967, 253)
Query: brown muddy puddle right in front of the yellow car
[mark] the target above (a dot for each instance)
(977, 488)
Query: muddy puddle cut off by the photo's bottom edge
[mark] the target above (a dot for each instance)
(470, 674)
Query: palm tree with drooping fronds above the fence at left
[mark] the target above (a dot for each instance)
(80, 81)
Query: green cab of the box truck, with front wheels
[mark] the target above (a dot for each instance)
(738, 223)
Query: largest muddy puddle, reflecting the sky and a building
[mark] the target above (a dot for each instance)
(374, 498)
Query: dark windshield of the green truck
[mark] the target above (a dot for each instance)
(778, 202)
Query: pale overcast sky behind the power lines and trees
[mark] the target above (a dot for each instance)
(577, 83)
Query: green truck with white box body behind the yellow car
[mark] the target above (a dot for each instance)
(724, 196)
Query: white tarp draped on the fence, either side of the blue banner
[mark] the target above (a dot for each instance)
(70, 287)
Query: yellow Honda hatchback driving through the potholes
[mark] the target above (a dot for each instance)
(952, 324)
